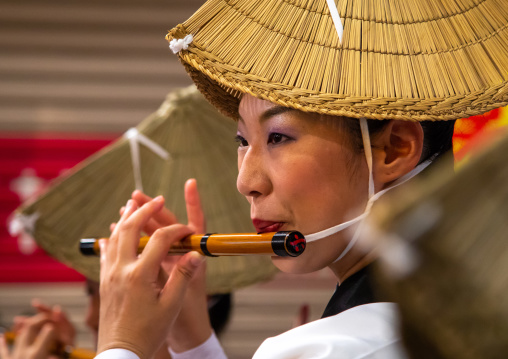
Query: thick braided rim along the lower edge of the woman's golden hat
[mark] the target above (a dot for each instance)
(224, 79)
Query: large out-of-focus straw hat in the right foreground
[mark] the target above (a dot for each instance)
(444, 258)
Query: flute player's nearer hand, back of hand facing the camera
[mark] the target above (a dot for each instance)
(137, 310)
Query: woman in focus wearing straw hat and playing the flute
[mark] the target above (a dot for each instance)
(302, 78)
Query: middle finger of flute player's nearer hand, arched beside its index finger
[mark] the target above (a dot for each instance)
(130, 230)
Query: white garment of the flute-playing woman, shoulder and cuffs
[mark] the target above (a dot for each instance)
(368, 331)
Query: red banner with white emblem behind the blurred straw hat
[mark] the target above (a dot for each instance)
(48, 154)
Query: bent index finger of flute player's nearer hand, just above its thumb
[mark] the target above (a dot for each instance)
(158, 246)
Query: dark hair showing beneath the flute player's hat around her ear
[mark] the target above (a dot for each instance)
(437, 138)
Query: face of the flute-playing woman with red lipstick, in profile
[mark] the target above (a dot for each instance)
(298, 173)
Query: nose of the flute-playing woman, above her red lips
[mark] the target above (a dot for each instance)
(253, 178)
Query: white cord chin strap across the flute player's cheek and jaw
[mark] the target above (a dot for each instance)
(372, 196)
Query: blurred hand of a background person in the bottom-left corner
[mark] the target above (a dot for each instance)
(35, 339)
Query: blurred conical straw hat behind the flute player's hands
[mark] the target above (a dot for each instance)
(185, 138)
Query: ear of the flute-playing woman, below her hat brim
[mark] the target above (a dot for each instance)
(396, 151)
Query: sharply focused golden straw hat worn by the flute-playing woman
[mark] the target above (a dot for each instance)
(413, 60)
